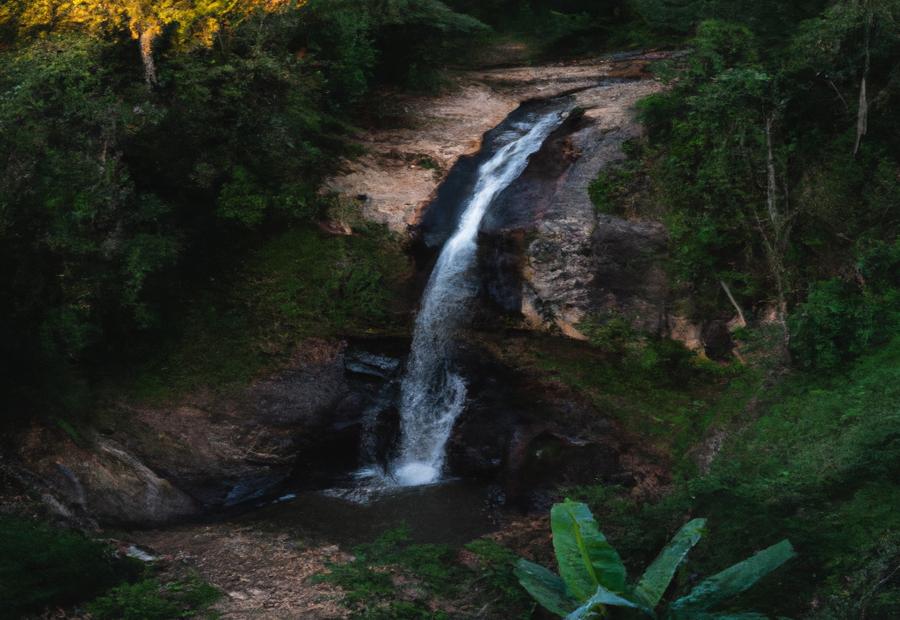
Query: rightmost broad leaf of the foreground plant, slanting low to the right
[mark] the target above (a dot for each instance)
(732, 581)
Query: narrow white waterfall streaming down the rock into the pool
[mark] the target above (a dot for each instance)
(432, 394)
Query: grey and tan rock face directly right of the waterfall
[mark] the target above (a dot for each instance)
(549, 257)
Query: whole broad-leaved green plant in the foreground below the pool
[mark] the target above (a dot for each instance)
(592, 577)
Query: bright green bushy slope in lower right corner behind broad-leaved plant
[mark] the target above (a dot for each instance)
(818, 463)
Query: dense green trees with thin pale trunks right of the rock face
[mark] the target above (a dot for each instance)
(774, 158)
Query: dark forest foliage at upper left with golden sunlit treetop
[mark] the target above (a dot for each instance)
(132, 172)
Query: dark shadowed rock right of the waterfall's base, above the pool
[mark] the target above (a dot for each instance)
(531, 434)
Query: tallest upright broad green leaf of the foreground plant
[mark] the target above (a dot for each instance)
(585, 559)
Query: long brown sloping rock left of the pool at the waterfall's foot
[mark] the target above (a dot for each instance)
(150, 465)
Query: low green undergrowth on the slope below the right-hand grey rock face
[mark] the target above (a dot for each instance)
(654, 387)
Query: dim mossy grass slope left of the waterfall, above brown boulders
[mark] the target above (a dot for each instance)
(303, 283)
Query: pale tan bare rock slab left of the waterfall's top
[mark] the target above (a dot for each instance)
(404, 164)
